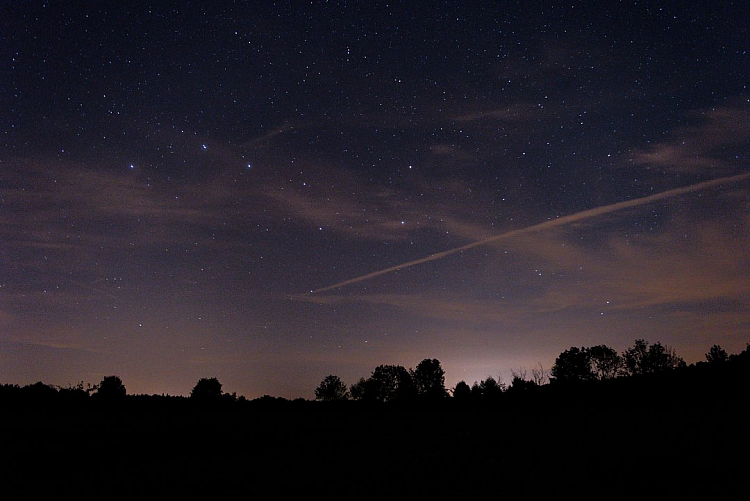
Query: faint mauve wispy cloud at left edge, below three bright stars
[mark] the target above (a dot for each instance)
(77, 206)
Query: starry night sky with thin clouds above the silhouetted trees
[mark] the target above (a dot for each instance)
(485, 183)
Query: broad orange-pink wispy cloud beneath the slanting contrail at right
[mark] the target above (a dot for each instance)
(693, 271)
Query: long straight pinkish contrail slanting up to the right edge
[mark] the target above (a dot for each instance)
(578, 216)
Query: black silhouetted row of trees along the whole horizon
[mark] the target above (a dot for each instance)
(575, 367)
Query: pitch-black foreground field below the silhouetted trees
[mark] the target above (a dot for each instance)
(605, 441)
